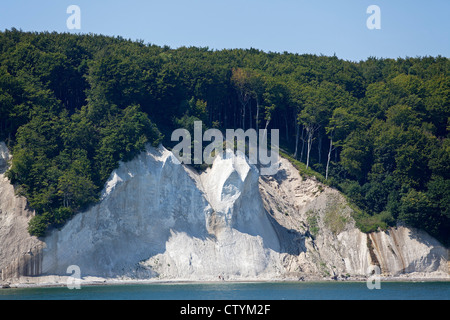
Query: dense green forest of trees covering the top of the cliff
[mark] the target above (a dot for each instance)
(72, 106)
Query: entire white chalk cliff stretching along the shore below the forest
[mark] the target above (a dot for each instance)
(158, 219)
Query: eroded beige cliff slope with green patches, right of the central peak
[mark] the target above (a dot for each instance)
(332, 245)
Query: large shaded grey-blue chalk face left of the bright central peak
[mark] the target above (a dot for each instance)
(144, 202)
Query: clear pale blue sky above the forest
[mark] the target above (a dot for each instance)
(408, 28)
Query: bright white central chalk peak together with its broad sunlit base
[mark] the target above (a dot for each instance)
(240, 241)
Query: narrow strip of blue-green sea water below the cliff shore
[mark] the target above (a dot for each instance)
(239, 291)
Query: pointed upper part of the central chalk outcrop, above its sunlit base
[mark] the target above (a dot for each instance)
(231, 188)
